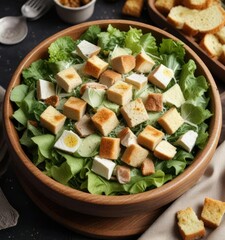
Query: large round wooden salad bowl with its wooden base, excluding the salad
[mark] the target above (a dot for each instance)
(106, 216)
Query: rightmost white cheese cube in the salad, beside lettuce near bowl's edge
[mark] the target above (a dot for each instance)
(187, 140)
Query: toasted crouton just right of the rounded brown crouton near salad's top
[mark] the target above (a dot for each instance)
(144, 63)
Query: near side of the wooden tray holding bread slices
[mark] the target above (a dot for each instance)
(216, 67)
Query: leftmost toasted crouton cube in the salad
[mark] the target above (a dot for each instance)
(52, 119)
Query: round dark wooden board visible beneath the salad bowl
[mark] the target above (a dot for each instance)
(96, 227)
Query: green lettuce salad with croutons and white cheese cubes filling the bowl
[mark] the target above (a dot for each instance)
(112, 112)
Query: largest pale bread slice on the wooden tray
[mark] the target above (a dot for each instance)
(209, 20)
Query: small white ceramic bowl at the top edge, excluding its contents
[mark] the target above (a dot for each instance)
(75, 15)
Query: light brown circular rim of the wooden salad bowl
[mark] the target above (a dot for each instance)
(203, 156)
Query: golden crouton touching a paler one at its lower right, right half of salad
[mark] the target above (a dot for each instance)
(150, 137)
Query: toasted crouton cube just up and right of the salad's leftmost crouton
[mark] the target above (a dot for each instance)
(74, 108)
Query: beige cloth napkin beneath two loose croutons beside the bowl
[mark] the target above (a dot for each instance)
(211, 184)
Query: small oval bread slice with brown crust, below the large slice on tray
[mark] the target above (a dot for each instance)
(211, 45)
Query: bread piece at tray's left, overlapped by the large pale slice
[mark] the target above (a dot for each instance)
(178, 15)
